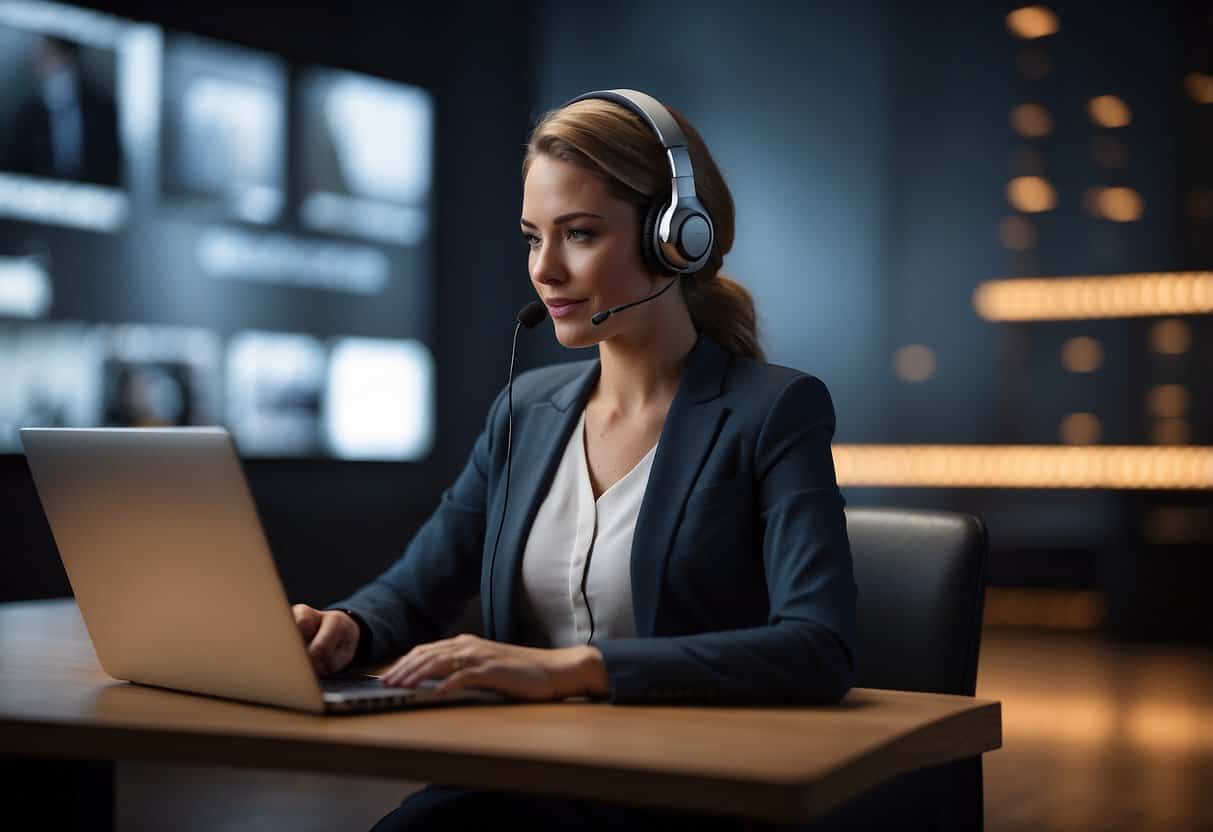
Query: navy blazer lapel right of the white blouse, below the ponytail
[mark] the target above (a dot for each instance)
(691, 430)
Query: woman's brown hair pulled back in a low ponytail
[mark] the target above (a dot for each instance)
(613, 144)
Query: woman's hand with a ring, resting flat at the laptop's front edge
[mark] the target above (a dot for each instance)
(529, 674)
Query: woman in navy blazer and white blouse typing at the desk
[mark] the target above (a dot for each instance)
(696, 476)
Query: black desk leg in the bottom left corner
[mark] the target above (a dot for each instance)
(60, 794)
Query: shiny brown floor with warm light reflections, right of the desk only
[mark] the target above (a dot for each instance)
(1097, 736)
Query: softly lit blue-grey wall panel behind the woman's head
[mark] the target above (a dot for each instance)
(791, 101)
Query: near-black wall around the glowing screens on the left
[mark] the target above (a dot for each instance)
(333, 526)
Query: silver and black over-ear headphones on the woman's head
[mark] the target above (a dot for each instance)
(679, 233)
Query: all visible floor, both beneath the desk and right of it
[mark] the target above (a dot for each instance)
(1096, 737)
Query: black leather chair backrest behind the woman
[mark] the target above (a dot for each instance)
(921, 578)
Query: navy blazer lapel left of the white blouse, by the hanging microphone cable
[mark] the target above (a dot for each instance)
(539, 442)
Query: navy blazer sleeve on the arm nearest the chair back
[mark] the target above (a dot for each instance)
(804, 652)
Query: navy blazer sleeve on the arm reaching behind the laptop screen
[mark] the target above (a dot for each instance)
(424, 591)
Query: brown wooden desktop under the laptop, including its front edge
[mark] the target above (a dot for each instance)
(778, 763)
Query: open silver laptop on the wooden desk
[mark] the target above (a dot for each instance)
(173, 574)
